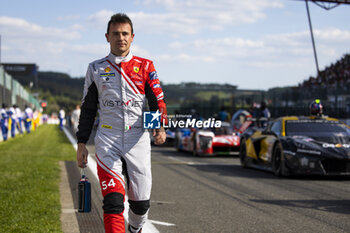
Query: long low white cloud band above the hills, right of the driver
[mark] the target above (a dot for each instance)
(269, 51)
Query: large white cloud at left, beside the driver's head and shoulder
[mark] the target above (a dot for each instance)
(52, 48)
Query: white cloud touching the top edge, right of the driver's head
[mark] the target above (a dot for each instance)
(215, 15)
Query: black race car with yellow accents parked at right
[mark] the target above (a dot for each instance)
(298, 145)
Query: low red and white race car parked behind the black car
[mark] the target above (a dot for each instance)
(216, 141)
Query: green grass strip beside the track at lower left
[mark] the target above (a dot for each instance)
(29, 180)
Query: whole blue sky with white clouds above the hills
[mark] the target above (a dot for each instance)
(249, 43)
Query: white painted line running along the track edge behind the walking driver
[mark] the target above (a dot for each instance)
(148, 227)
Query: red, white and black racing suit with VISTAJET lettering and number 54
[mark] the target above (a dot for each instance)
(117, 87)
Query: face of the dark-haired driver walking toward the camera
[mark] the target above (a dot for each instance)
(120, 38)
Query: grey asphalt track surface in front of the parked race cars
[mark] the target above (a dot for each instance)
(215, 194)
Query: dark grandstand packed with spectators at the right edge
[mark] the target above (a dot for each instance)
(331, 85)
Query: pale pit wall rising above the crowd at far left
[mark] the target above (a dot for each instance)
(12, 92)
